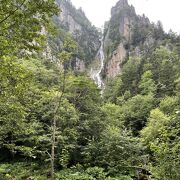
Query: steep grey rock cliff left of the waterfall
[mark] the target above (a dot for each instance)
(87, 36)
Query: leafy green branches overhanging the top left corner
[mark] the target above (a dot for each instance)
(21, 24)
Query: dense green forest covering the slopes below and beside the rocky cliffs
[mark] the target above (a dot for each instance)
(54, 122)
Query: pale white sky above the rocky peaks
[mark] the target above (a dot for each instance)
(167, 11)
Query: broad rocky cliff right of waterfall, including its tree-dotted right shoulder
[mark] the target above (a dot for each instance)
(125, 34)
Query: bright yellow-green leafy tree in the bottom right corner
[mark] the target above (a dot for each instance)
(162, 136)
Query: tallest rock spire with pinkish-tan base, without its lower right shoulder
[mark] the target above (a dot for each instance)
(117, 35)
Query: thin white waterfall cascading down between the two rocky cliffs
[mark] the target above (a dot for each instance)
(96, 74)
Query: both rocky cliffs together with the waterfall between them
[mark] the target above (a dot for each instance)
(125, 33)
